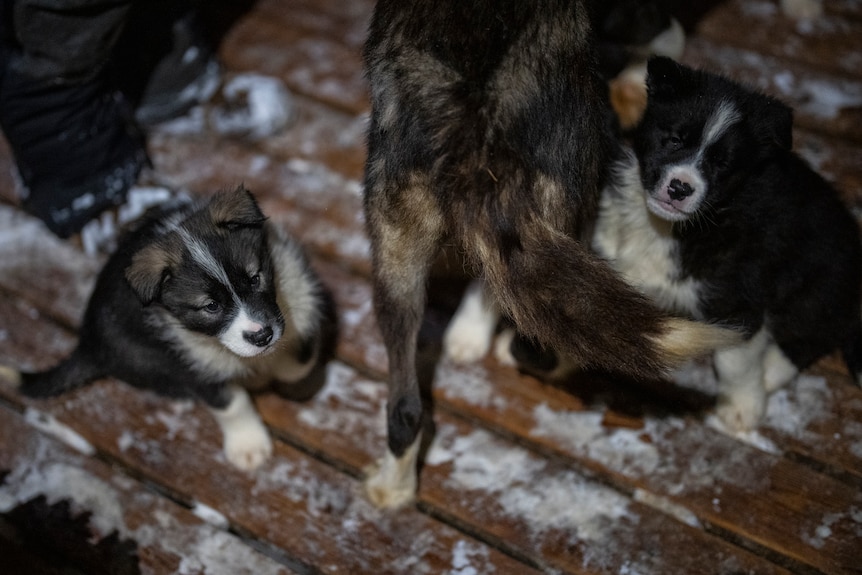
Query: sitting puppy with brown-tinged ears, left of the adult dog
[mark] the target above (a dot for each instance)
(203, 300)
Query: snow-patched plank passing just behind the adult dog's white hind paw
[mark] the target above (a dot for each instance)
(538, 509)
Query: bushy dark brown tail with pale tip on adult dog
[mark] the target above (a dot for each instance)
(571, 301)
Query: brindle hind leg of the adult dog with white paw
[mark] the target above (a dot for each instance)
(405, 227)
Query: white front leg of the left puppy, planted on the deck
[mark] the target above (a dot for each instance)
(246, 441)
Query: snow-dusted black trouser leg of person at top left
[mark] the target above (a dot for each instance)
(75, 144)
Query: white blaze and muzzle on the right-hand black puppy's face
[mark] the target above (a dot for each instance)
(683, 186)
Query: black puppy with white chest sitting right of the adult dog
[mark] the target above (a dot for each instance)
(713, 216)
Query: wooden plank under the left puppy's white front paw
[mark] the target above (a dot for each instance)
(314, 514)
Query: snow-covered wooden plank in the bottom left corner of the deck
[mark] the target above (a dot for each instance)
(123, 526)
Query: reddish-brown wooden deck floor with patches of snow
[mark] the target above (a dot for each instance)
(521, 477)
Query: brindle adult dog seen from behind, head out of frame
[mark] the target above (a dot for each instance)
(491, 130)
